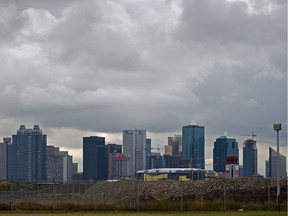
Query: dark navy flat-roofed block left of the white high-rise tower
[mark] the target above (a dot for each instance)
(95, 158)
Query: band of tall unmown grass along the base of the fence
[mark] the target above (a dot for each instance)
(144, 206)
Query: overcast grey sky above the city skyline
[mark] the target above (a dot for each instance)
(96, 67)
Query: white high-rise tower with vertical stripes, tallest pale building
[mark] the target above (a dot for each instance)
(134, 146)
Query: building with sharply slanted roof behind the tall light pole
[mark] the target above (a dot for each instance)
(271, 165)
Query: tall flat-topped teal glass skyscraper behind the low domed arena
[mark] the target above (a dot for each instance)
(193, 146)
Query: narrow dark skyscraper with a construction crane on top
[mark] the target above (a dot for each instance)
(250, 158)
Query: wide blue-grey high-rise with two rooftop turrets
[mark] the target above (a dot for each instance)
(27, 155)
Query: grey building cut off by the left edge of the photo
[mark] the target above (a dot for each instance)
(3, 158)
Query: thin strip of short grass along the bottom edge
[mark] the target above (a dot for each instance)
(229, 213)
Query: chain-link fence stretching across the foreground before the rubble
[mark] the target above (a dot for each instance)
(213, 194)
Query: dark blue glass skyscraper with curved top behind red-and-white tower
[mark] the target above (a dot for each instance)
(223, 148)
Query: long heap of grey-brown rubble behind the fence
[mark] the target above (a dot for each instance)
(241, 189)
